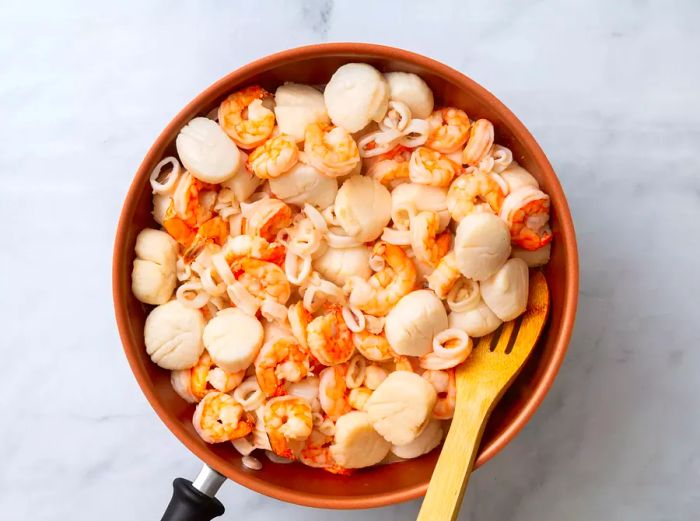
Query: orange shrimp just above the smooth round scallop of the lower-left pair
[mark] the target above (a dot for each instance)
(262, 279)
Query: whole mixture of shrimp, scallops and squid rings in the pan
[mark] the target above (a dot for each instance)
(324, 260)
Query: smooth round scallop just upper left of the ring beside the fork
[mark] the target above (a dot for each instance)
(414, 321)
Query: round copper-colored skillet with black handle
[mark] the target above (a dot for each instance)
(296, 483)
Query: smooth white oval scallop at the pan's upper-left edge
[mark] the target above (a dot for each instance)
(206, 151)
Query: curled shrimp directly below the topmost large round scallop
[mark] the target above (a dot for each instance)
(330, 149)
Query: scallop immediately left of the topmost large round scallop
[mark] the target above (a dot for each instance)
(296, 107)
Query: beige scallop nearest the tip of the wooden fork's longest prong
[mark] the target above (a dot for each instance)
(505, 292)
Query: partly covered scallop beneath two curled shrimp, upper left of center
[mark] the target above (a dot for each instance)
(304, 184)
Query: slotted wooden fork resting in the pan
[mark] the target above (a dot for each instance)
(481, 381)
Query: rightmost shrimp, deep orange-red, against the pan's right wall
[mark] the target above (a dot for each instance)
(527, 213)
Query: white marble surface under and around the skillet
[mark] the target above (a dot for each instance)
(610, 89)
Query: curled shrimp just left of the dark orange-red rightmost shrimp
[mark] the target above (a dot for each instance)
(472, 192)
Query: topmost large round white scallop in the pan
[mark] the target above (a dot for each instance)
(355, 95)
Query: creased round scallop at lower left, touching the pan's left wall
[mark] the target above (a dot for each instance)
(173, 335)
